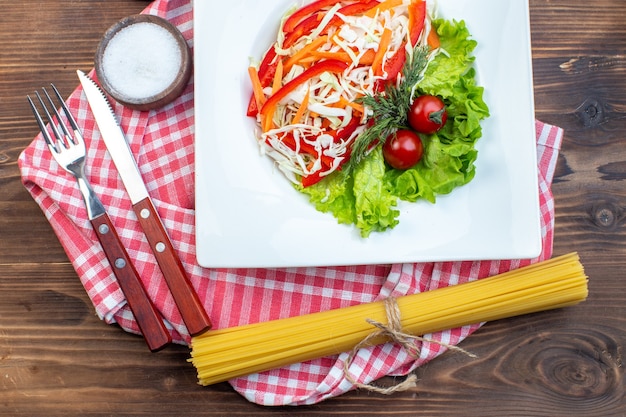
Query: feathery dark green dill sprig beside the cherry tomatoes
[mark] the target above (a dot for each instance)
(389, 108)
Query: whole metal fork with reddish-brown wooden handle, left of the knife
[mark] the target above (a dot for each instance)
(68, 149)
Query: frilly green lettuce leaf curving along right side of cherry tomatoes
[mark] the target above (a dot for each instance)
(449, 155)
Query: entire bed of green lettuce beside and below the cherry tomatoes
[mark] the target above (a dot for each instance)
(368, 198)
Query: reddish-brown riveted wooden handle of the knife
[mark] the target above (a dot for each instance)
(191, 309)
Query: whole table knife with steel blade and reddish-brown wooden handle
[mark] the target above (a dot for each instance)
(189, 305)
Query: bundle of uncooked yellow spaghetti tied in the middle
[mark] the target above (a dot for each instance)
(222, 354)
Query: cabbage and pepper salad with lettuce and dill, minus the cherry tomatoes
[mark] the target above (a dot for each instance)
(339, 82)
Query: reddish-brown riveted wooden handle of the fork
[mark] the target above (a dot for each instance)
(148, 317)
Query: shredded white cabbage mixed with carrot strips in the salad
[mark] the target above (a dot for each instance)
(311, 144)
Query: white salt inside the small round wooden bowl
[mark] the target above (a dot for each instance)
(141, 60)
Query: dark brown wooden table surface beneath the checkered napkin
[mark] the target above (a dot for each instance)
(58, 358)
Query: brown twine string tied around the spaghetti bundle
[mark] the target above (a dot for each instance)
(393, 331)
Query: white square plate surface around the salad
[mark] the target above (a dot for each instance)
(248, 214)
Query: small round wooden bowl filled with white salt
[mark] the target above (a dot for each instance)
(143, 62)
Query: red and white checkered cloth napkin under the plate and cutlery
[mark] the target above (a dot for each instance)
(162, 142)
